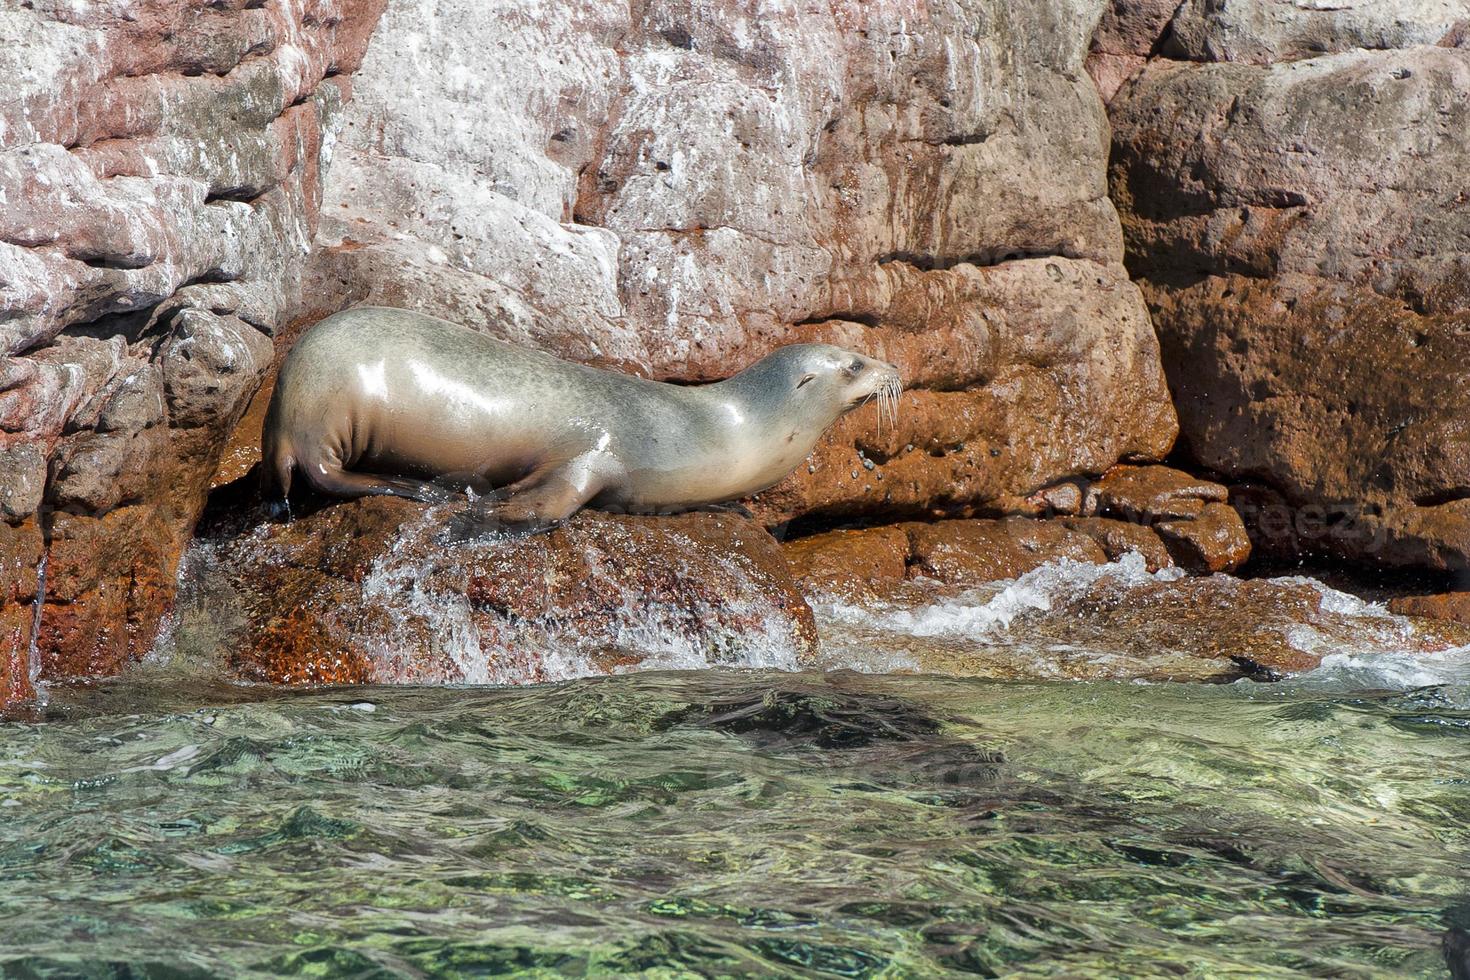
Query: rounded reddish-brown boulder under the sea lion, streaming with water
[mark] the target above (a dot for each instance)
(376, 591)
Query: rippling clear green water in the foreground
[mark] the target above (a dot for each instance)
(737, 825)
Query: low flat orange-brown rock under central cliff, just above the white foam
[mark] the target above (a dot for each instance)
(975, 552)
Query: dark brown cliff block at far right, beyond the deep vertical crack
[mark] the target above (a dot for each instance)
(1293, 199)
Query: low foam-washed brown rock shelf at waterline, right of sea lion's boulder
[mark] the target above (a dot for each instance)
(1093, 622)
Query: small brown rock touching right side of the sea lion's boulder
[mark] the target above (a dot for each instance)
(849, 565)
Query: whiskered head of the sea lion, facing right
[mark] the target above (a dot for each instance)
(825, 383)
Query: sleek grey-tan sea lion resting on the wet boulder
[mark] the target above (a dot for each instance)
(380, 402)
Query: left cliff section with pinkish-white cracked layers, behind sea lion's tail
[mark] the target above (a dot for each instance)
(159, 184)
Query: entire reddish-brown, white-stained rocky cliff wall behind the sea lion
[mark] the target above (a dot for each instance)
(675, 189)
